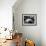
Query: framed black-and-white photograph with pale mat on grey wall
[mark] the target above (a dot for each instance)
(29, 19)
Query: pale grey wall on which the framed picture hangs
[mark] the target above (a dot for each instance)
(28, 7)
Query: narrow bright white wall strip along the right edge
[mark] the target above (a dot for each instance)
(43, 22)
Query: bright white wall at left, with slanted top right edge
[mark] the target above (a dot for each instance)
(6, 13)
